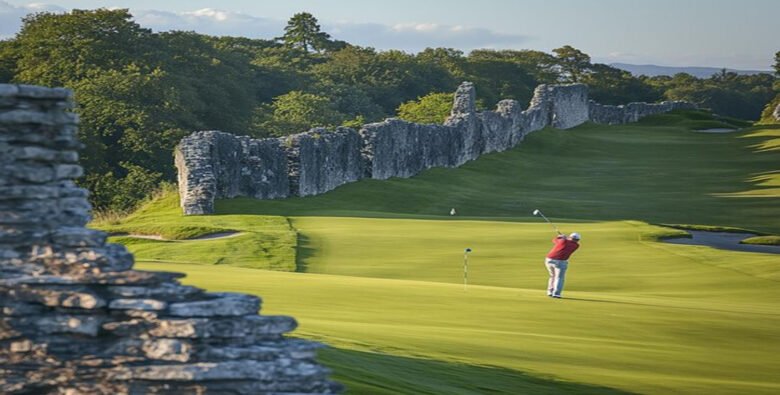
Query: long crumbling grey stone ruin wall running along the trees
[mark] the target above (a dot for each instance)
(214, 165)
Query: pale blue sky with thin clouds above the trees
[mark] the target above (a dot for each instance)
(740, 34)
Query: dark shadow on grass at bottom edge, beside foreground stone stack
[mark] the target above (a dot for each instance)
(372, 373)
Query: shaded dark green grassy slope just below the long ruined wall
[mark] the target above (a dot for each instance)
(650, 173)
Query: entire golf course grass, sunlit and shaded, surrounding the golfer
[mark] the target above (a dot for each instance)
(379, 266)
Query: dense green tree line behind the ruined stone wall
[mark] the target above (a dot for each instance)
(140, 92)
